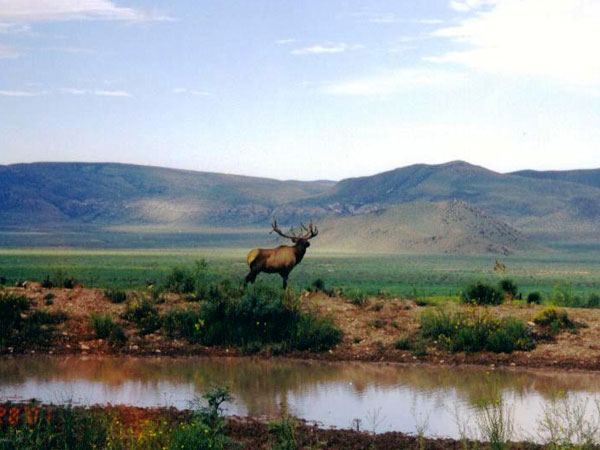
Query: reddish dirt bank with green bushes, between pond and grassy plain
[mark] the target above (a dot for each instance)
(187, 313)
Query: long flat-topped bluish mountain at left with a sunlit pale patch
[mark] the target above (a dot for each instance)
(59, 193)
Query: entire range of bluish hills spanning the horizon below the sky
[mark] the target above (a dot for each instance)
(453, 207)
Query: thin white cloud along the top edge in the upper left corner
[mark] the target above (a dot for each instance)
(57, 10)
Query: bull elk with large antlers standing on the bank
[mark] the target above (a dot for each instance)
(282, 259)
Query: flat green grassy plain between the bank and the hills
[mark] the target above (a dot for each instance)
(414, 276)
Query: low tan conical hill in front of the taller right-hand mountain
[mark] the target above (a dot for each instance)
(447, 227)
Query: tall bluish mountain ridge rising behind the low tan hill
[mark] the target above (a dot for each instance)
(530, 204)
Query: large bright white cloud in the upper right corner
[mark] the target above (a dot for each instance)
(556, 39)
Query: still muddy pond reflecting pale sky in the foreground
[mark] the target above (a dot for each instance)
(380, 397)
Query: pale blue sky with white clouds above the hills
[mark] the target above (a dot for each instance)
(302, 90)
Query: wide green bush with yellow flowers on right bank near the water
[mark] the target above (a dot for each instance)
(475, 331)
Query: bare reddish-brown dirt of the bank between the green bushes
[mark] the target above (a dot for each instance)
(370, 332)
